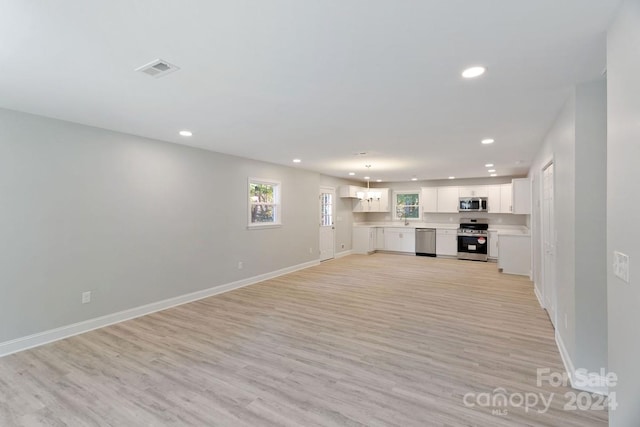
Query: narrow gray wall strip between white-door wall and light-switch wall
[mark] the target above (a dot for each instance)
(590, 226)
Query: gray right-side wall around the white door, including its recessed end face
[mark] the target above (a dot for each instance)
(577, 145)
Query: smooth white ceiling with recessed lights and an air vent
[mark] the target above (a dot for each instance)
(314, 79)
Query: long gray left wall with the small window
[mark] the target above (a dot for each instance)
(133, 220)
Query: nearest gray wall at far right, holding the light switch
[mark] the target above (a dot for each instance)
(623, 176)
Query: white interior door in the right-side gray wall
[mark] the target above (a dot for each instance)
(548, 243)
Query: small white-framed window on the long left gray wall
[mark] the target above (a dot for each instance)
(264, 202)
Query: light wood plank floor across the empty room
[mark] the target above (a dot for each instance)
(383, 340)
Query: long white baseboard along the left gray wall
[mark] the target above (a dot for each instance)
(41, 338)
